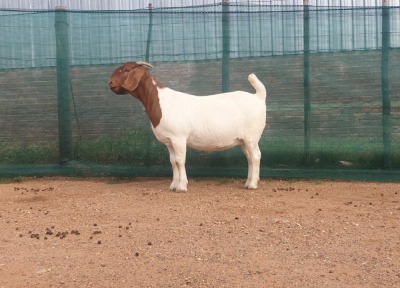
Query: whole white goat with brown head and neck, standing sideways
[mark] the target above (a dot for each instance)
(208, 123)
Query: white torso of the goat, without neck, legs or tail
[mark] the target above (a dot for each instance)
(210, 123)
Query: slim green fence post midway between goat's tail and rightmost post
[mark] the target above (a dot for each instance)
(306, 83)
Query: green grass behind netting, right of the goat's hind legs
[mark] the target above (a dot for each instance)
(327, 152)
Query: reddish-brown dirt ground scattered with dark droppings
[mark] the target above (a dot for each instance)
(108, 232)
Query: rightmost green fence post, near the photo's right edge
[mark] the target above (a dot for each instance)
(385, 67)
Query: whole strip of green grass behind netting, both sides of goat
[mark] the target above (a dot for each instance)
(141, 150)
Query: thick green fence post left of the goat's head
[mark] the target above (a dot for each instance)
(64, 91)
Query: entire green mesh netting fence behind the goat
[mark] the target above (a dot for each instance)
(332, 77)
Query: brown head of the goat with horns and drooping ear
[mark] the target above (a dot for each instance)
(126, 78)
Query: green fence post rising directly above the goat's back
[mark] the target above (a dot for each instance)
(226, 46)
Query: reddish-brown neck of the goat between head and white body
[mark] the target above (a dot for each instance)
(147, 93)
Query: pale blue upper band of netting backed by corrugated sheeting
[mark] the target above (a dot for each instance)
(189, 34)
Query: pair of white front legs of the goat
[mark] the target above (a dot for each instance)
(177, 154)
